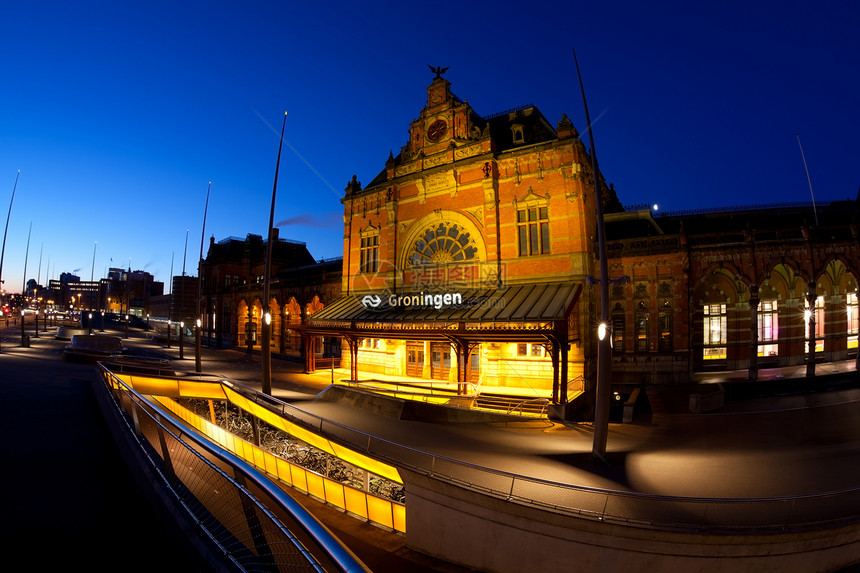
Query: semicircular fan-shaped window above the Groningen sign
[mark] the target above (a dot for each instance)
(442, 237)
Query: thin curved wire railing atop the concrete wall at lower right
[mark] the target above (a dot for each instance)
(724, 515)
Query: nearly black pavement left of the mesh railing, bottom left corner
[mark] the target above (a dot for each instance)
(68, 500)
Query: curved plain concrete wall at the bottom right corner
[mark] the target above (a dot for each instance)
(497, 536)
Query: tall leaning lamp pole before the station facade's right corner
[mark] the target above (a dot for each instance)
(603, 392)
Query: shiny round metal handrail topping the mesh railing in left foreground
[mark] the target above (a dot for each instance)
(326, 542)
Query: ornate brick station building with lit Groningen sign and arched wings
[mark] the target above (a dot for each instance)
(471, 258)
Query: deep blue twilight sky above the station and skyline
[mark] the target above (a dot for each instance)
(118, 114)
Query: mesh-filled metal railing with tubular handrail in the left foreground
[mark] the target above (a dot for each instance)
(255, 524)
